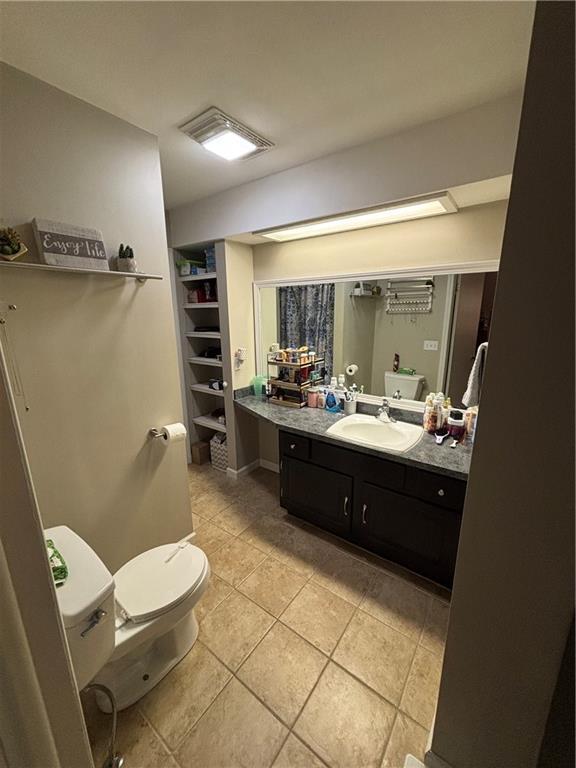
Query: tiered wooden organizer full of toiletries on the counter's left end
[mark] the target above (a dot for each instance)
(296, 370)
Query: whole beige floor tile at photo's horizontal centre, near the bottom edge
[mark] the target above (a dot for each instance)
(281, 671)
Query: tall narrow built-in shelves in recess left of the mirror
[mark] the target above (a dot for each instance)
(202, 337)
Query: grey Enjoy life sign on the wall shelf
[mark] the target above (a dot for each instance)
(64, 245)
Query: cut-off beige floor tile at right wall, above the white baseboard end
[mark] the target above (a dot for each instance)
(421, 692)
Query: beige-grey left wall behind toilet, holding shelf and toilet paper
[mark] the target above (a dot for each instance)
(97, 356)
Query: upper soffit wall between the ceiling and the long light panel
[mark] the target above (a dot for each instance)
(465, 147)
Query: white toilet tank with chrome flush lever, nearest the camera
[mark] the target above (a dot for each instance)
(86, 602)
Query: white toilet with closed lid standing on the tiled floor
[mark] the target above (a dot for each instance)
(128, 631)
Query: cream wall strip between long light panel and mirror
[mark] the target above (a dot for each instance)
(471, 235)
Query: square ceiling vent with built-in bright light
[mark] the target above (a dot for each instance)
(224, 136)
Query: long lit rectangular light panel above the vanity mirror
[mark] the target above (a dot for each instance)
(415, 208)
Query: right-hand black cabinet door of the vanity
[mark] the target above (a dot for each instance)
(408, 531)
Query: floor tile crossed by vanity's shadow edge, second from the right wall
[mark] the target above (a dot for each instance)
(398, 604)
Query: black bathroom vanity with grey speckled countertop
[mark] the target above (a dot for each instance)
(405, 507)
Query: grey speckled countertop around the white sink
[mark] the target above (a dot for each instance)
(454, 462)
